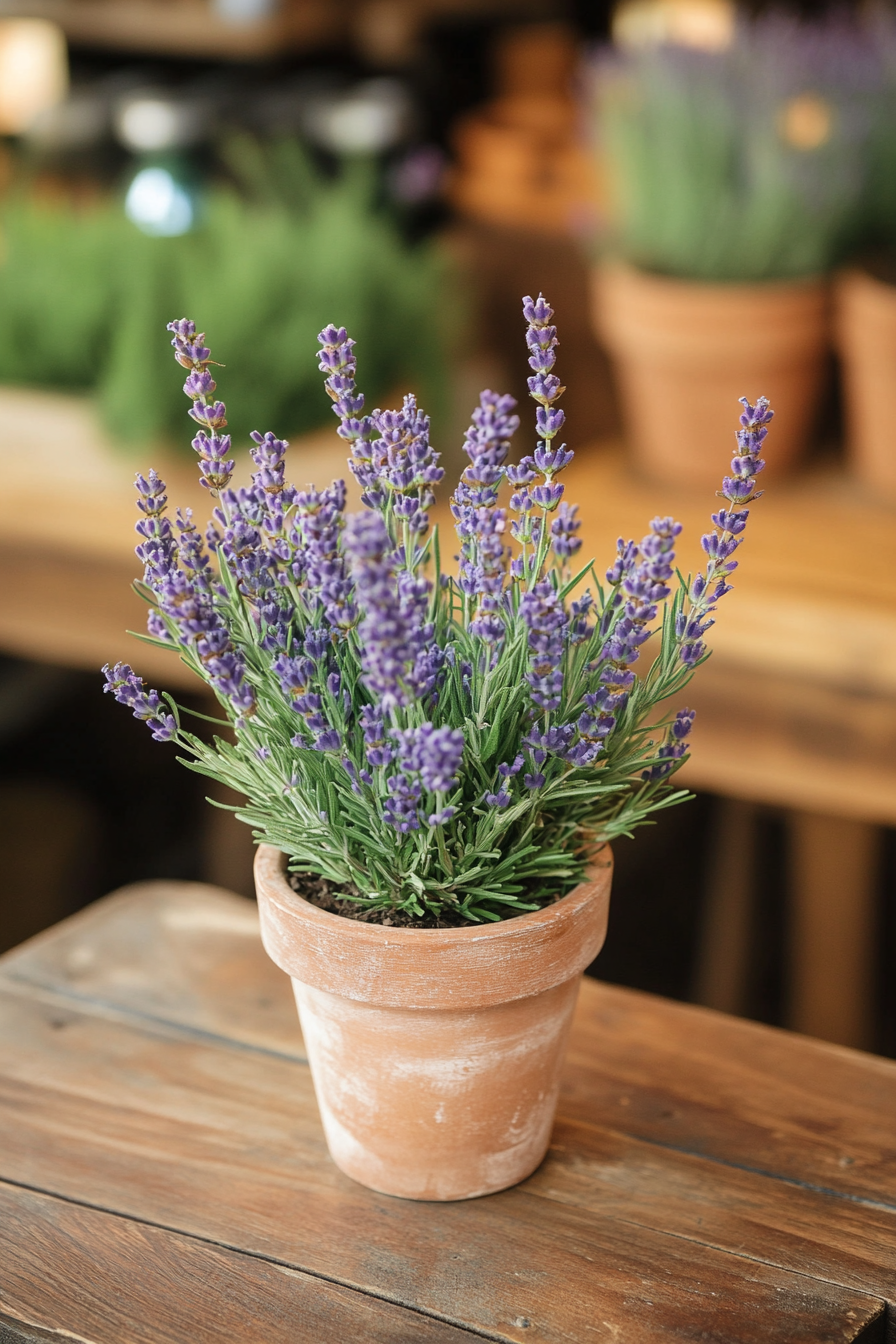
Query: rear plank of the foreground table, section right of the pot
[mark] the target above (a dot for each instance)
(735, 1092)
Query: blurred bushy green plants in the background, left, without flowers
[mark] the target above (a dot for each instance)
(85, 298)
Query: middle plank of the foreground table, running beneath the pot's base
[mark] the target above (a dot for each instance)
(226, 1144)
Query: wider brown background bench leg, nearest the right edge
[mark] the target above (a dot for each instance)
(835, 864)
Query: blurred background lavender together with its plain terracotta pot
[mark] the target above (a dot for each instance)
(738, 179)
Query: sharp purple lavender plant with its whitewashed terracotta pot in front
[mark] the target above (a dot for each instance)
(435, 765)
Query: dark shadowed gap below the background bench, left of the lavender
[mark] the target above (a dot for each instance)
(88, 800)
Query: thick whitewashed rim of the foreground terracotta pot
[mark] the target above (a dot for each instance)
(437, 968)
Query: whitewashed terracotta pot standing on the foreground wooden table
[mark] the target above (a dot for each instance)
(436, 1053)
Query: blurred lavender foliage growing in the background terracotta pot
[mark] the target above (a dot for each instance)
(744, 165)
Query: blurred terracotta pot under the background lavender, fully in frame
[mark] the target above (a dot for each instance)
(686, 353)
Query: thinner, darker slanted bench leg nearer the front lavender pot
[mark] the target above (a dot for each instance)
(723, 958)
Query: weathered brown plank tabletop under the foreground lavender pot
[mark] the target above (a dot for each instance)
(165, 1177)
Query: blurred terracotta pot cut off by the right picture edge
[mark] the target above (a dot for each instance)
(866, 333)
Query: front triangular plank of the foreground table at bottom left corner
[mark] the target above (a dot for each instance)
(80, 1273)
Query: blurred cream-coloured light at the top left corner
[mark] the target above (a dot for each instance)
(34, 72)
